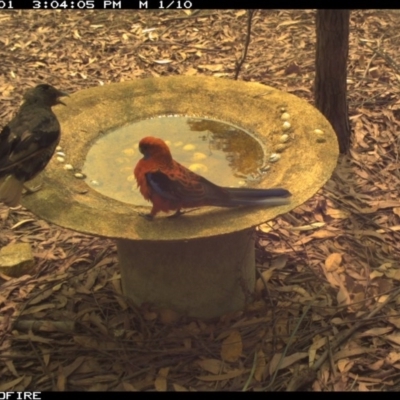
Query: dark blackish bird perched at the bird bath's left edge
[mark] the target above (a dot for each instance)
(28, 142)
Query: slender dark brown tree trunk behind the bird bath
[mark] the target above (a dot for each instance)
(331, 71)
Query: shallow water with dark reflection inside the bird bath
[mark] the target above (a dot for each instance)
(223, 153)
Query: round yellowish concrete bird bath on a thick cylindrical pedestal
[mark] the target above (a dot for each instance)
(201, 264)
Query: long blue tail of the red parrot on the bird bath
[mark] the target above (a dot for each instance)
(256, 197)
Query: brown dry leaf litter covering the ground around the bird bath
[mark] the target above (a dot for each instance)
(325, 315)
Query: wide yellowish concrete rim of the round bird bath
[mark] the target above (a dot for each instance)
(71, 203)
